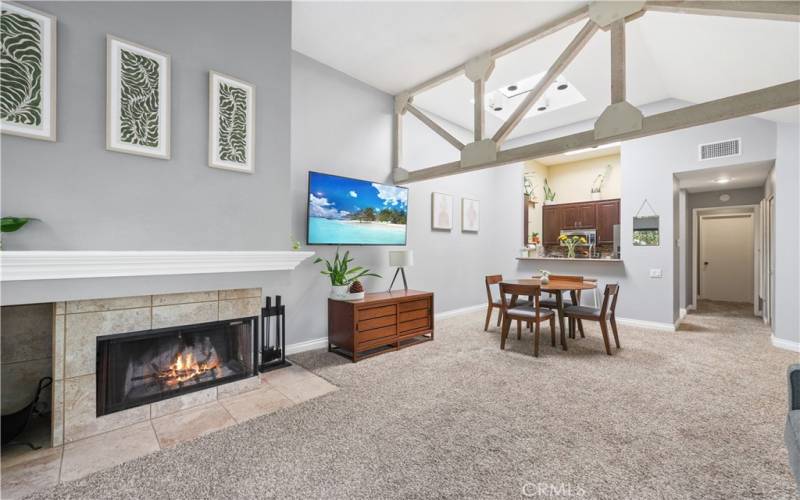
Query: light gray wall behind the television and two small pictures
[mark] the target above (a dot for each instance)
(342, 126)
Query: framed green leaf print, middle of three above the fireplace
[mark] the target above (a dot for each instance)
(138, 99)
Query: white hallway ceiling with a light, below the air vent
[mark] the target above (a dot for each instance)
(743, 175)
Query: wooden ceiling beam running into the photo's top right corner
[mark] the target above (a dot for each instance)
(776, 11)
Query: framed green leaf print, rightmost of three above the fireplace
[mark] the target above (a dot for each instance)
(231, 123)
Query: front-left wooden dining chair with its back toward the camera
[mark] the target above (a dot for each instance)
(528, 312)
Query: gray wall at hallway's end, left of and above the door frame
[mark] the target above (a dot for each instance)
(747, 196)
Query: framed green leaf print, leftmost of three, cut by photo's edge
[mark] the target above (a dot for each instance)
(27, 72)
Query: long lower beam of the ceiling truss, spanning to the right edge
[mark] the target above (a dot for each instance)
(748, 103)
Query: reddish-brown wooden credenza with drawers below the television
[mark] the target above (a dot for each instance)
(380, 322)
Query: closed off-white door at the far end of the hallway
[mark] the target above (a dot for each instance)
(726, 258)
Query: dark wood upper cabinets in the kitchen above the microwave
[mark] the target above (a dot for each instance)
(601, 215)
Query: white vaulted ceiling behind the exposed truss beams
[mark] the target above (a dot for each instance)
(396, 45)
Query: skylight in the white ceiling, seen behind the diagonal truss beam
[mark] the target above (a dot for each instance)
(560, 94)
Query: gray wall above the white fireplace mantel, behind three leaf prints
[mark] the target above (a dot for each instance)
(92, 199)
